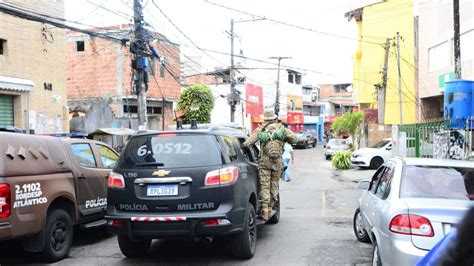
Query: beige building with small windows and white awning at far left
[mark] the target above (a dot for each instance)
(33, 70)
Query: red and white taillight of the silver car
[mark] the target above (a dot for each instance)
(411, 225)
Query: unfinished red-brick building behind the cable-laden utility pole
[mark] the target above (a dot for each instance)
(99, 83)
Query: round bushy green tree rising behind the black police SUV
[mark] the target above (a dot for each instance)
(197, 102)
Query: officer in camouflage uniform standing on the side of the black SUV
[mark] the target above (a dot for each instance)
(272, 136)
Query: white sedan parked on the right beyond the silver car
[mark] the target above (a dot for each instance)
(374, 156)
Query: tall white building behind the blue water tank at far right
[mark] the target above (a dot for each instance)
(436, 56)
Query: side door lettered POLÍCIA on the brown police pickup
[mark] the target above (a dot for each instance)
(91, 185)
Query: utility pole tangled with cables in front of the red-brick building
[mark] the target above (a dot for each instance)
(139, 64)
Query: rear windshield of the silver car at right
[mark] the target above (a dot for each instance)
(437, 182)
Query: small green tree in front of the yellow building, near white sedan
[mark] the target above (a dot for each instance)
(350, 123)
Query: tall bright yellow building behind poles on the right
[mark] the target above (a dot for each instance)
(376, 23)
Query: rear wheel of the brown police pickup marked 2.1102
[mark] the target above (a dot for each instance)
(58, 235)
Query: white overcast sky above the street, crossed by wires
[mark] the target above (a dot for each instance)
(326, 47)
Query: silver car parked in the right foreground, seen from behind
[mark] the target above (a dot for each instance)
(410, 205)
